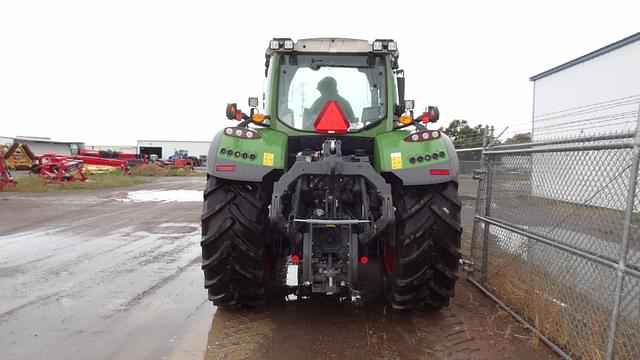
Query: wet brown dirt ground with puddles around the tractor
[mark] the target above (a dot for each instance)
(115, 274)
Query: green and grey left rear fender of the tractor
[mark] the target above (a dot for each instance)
(246, 159)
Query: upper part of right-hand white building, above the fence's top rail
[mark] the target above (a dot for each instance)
(595, 93)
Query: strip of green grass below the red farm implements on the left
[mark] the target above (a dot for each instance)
(34, 183)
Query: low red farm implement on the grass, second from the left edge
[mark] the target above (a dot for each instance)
(56, 168)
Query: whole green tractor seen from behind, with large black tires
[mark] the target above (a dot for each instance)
(336, 179)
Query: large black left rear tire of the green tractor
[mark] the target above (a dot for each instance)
(236, 260)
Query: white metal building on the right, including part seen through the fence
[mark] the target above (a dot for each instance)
(595, 94)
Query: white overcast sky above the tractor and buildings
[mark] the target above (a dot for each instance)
(112, 72)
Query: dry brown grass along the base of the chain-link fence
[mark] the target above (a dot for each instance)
(577, 323)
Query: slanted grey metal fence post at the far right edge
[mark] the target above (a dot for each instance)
(624, 245)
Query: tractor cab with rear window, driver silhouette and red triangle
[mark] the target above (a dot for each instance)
(355, 85)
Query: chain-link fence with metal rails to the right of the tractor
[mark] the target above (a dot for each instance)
(556, 241)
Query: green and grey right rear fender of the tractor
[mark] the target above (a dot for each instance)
(417, 163)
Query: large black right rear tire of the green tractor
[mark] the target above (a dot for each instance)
(422, 268)
